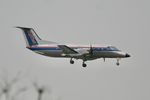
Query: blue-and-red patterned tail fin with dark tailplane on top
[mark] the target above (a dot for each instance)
(30, 35)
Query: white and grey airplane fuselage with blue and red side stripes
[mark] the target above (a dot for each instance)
(98, 51)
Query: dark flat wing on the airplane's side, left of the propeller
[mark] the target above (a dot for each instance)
(67, 50)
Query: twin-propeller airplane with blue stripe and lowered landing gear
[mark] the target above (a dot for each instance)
(83, 52)
